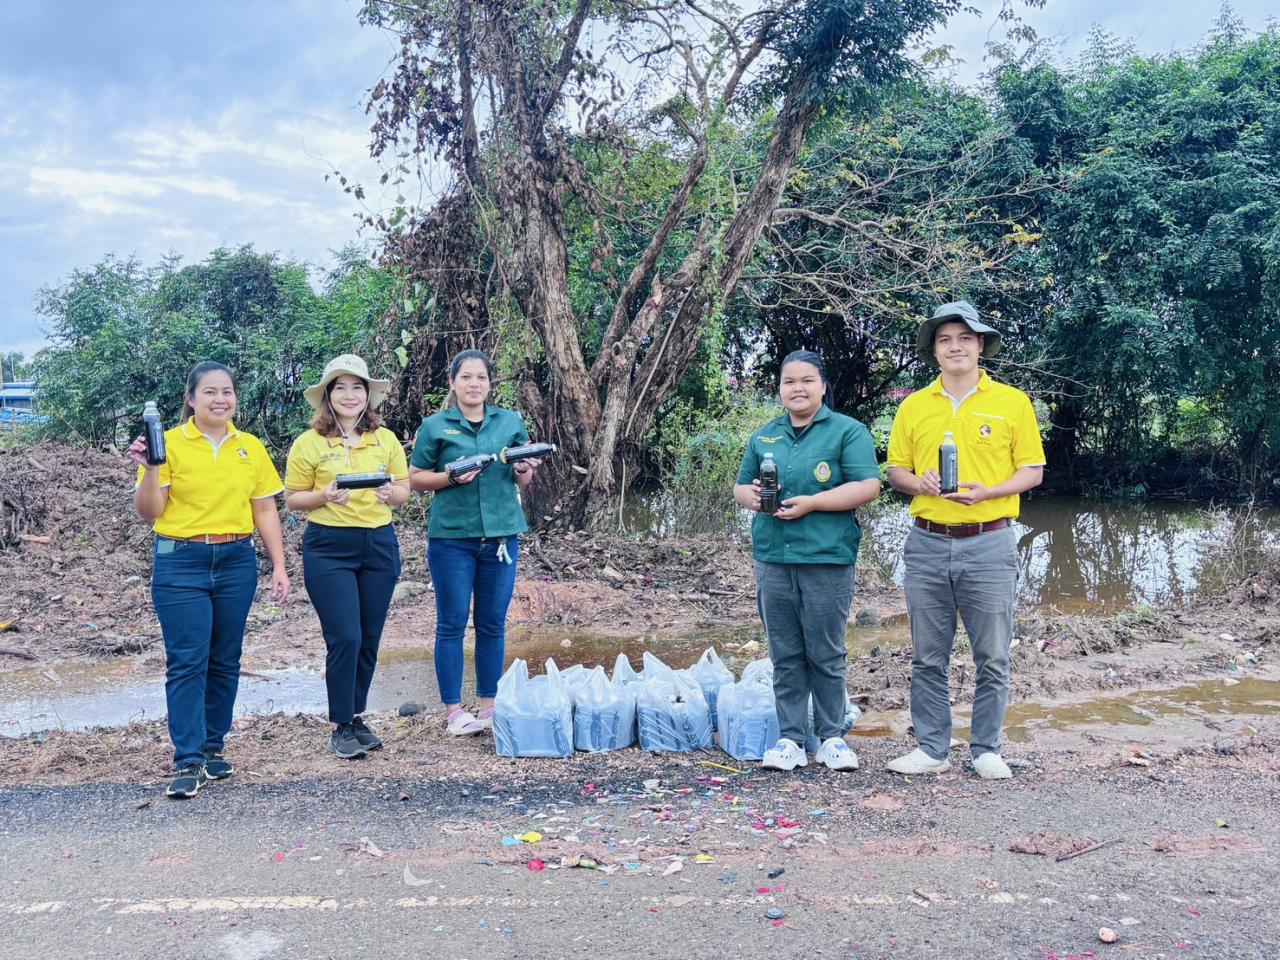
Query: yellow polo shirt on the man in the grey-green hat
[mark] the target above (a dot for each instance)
(995, 432)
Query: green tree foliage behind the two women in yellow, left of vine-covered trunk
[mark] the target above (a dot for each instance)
(124, 335)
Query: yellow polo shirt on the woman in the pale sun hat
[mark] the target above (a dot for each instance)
(317, 460)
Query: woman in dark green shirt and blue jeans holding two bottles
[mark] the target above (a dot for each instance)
(472, 545)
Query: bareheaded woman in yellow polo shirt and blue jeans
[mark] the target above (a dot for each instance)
(214, 488)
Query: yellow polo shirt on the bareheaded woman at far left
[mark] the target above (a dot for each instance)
(212, 488)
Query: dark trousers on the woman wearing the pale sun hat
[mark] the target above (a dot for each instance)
(350, 574)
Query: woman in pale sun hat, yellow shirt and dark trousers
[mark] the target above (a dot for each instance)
(348, 473)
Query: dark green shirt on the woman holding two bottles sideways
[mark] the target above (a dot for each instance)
(490, 505)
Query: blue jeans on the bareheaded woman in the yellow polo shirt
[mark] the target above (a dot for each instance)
(202, 595)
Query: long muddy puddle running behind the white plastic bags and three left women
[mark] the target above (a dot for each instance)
(117, 693)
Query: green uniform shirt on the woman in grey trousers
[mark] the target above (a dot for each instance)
(831, 451)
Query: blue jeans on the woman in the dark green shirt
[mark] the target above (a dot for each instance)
(463, 572)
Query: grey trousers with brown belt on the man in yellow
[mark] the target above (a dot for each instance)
(976, 577)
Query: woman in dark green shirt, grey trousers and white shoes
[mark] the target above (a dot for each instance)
(806, 555)
